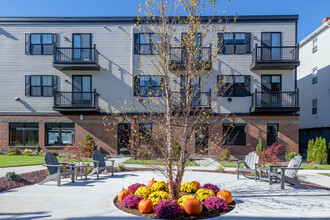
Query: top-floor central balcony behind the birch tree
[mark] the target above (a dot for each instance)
(178, 58)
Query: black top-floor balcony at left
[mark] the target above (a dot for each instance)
(68, 58)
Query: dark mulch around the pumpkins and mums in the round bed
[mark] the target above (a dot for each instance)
(184, 215)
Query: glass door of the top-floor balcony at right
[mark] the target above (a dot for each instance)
(271, 46)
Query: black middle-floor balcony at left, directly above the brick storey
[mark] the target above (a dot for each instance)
(76, 102)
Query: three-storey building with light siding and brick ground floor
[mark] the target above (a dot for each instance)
(58, 75)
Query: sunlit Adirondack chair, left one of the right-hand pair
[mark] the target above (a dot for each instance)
(250, 165)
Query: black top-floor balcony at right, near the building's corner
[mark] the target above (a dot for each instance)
(275, 58)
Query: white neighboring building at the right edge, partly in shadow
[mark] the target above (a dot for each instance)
(314, 85)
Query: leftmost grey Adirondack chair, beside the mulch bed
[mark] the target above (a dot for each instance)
(54, 169)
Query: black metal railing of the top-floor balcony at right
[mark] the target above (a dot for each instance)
(275, 54)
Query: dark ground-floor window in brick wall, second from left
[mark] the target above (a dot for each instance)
(60, 127)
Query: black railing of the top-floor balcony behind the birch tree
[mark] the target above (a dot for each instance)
(180, 54)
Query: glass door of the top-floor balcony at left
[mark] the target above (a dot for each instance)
(82, 44)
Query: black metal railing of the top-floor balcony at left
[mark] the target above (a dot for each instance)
(76, 55)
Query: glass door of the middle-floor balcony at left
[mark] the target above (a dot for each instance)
(82, 90)
